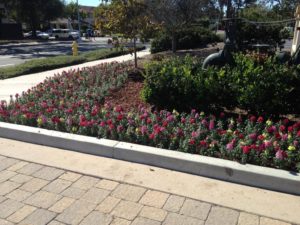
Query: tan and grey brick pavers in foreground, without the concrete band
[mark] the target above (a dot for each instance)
(33, 194)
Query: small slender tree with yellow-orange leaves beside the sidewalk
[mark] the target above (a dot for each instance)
(127, 17)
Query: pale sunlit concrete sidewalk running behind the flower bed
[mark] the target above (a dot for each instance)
(16, 85)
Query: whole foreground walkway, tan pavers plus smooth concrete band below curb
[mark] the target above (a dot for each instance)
(39, 184)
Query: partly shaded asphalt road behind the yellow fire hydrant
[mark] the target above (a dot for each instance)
(13, 54)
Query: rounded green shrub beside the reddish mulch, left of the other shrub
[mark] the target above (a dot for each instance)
(181, 84)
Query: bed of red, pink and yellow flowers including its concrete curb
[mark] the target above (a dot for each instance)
(73, 102)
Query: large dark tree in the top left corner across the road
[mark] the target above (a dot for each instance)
(34, 12)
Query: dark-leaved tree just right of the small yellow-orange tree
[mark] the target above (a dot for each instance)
(174, 15)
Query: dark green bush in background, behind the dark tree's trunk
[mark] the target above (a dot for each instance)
(186, 39)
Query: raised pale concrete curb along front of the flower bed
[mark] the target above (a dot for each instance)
(268, 178)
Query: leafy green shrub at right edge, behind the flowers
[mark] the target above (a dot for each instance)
(265, 87)
